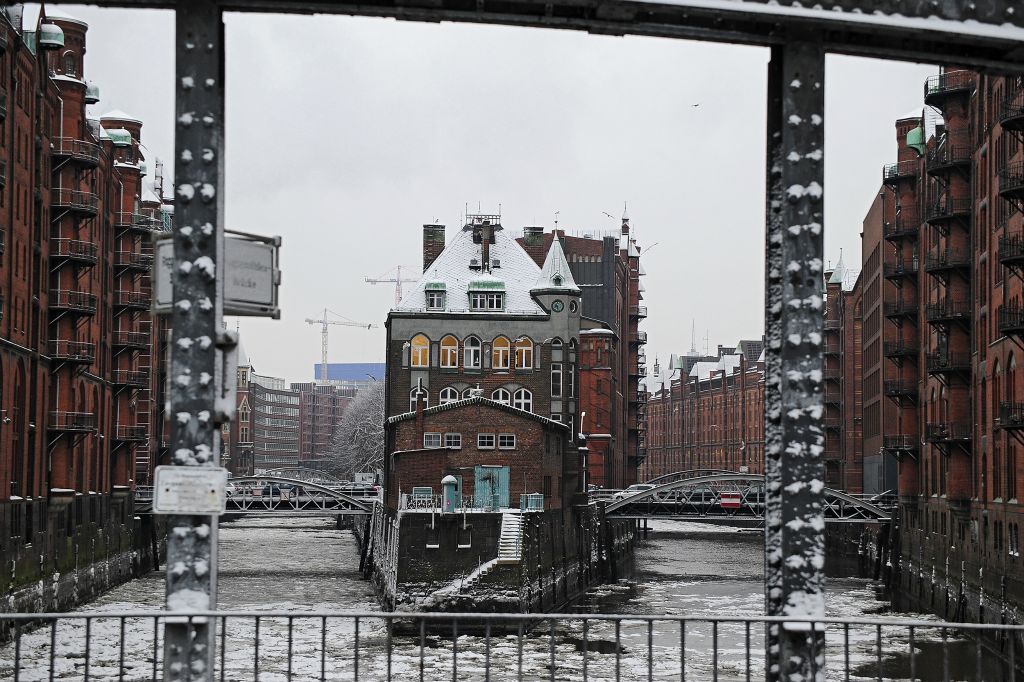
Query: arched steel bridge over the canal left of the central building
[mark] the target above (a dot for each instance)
(280, 496)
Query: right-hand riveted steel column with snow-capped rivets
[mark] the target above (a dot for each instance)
(794, 321)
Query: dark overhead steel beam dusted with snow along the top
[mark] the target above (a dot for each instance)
(977, 33)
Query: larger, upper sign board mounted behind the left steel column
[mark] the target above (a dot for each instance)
(251, 275)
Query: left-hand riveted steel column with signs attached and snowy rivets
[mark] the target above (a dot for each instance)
(194, 382)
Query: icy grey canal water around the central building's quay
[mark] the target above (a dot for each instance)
(308, 566)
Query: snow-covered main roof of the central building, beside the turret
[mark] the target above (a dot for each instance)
(518, 273)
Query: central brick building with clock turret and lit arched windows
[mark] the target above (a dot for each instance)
(484, 323)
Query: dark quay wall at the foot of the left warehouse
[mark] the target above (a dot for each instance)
(62, 552)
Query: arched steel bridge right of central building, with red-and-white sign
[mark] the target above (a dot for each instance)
(731, 499)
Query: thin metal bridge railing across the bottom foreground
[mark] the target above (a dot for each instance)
(322, 646)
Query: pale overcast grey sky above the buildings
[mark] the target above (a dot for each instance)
(346, 136)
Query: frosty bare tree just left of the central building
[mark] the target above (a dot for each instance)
(359, 441)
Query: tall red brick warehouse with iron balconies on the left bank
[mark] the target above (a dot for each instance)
(79, 351)
